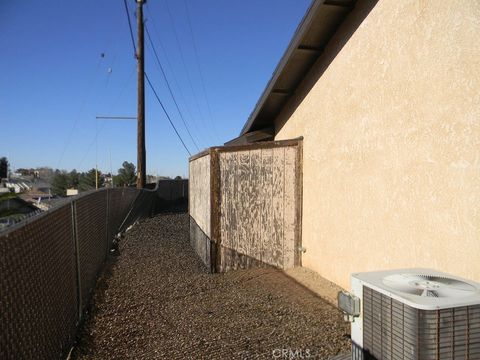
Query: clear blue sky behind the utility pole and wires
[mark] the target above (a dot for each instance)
(54, 80)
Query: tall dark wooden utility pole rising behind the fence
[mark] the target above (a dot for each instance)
(141, 153)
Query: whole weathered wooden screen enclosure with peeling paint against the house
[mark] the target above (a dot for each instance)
(257, 210)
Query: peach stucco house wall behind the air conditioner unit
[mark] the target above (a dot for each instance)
(391, 123)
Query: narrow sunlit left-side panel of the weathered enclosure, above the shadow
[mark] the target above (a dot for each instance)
(199, 192)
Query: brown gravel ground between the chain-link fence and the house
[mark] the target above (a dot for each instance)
(156, 300)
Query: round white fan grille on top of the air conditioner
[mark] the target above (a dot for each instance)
(428, 285)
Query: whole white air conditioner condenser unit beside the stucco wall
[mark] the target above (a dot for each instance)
(413, 314)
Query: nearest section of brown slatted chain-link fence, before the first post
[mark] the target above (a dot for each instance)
(38, 296)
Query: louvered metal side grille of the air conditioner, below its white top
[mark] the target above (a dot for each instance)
(393, 330)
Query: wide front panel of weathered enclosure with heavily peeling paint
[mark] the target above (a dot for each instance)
(258, 207)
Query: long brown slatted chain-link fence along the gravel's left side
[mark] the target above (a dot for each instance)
(49, 265)
